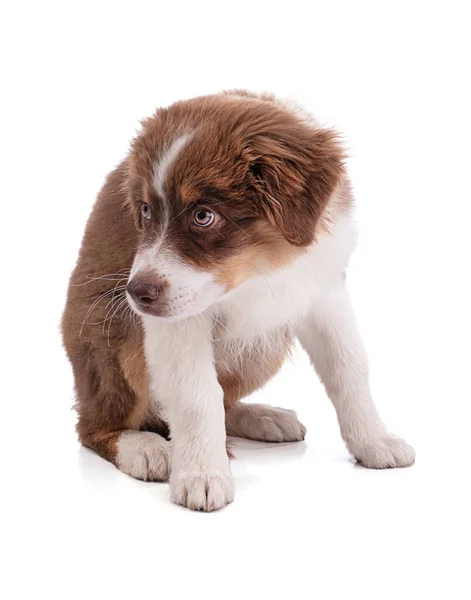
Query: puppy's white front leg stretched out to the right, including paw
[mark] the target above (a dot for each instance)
(329, 335)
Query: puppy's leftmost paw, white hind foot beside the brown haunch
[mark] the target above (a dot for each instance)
(144, 455)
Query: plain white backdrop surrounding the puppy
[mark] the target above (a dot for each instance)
(394, 78)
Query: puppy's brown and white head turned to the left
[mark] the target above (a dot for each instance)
(223, 188)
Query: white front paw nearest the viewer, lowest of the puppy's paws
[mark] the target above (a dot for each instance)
(205, 491)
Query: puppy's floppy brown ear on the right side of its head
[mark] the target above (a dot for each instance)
(294, 172)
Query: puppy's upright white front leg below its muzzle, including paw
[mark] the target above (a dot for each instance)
(184, 382)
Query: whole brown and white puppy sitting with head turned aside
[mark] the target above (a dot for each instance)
(222, 237)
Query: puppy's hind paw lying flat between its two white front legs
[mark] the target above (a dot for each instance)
(264, 423)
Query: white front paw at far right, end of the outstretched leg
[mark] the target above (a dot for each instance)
(385, 452)
